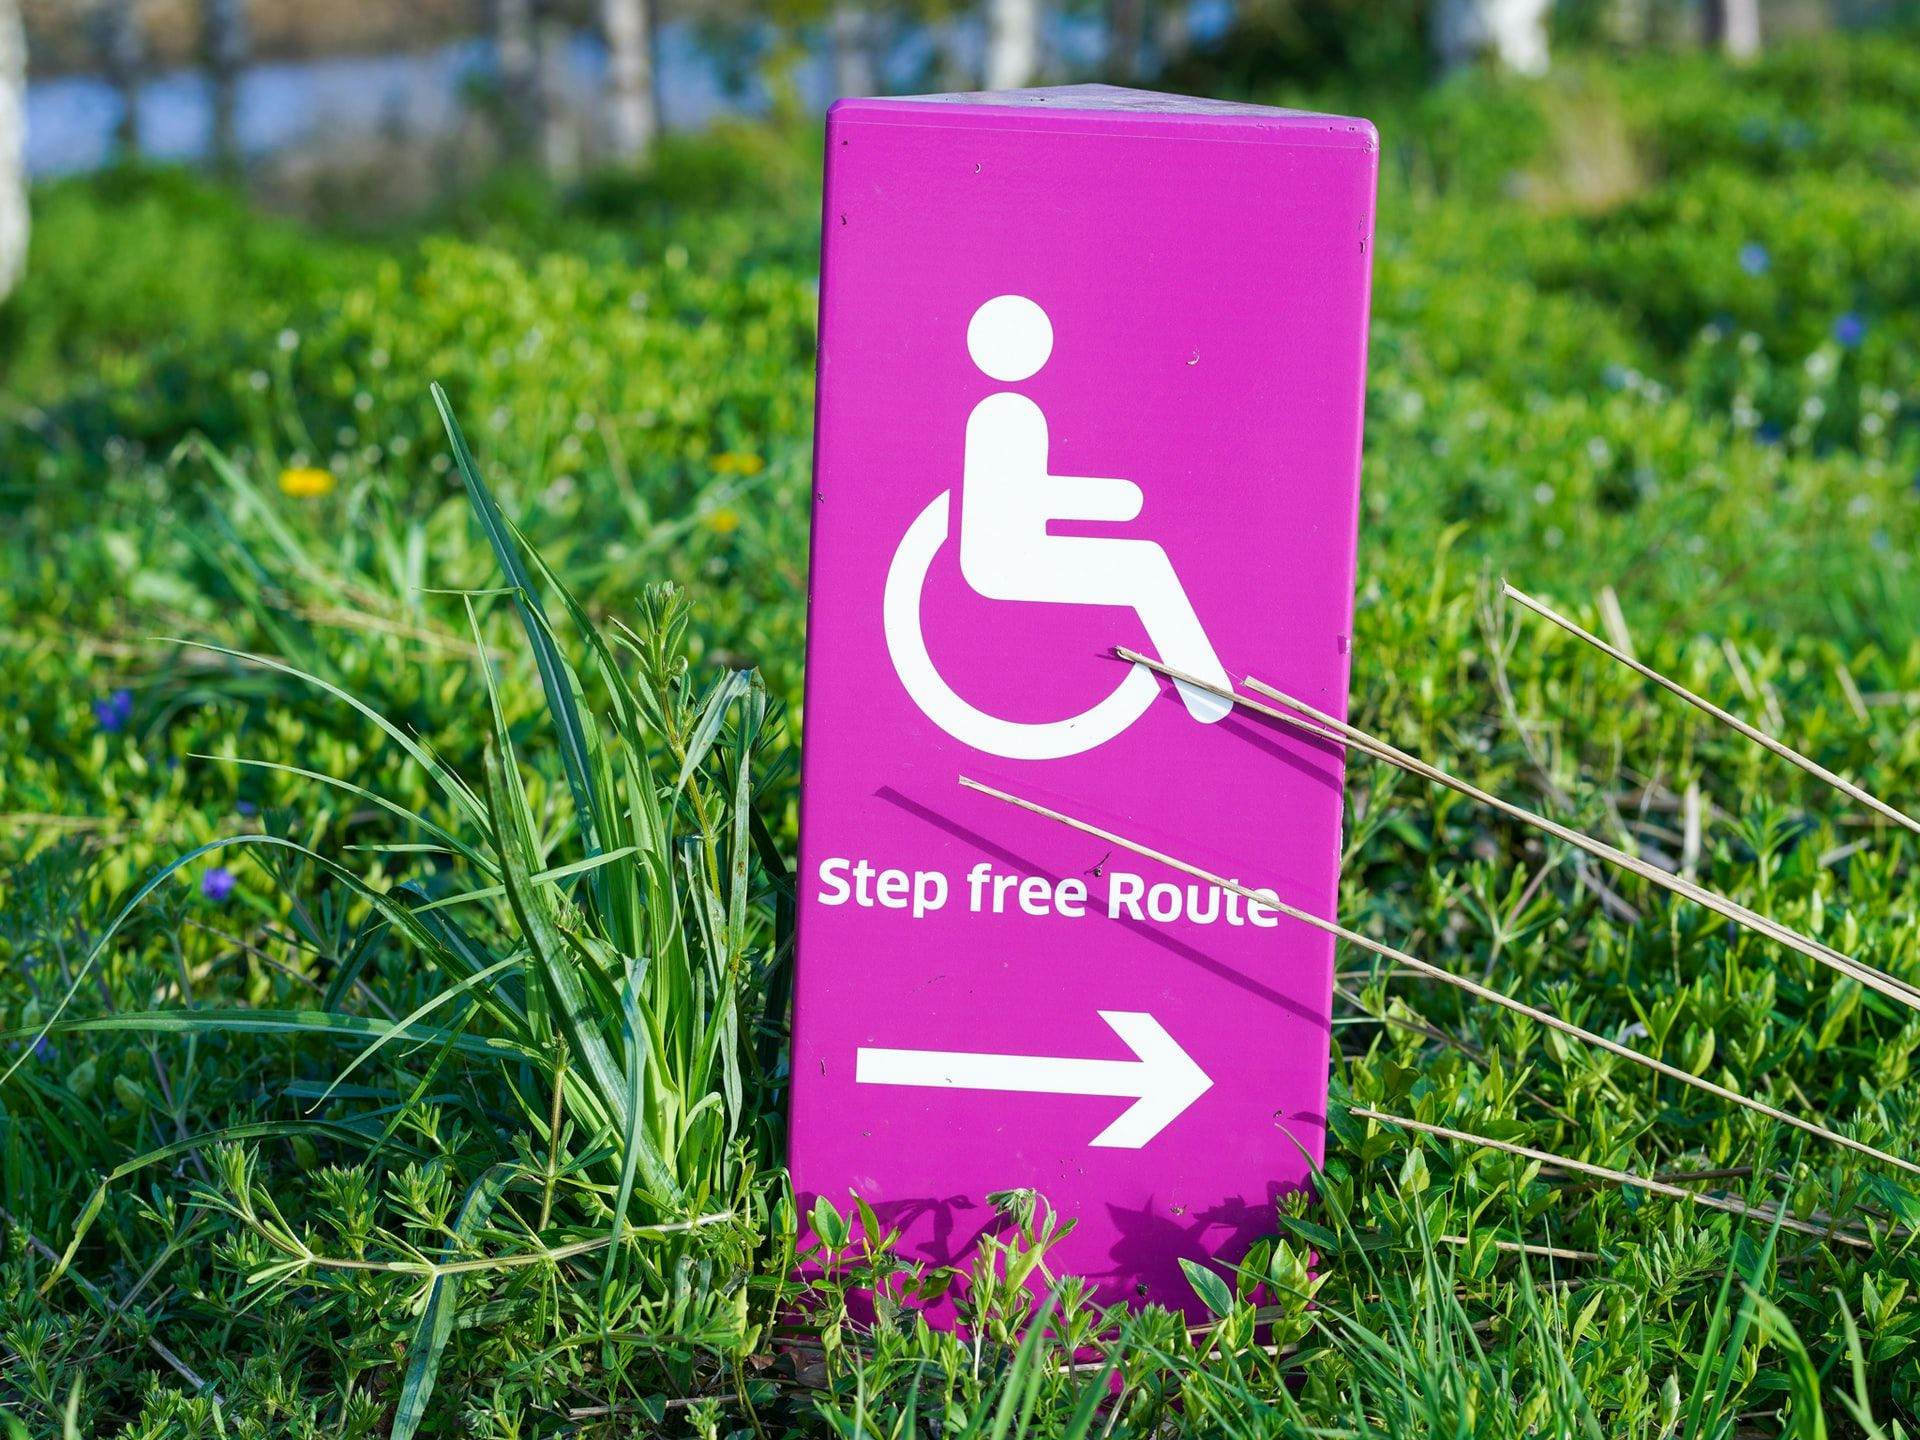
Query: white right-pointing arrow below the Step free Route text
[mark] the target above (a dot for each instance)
(1163, 1078)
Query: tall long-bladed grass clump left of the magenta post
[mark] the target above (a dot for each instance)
(610, 963)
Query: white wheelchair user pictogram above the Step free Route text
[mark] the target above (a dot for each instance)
(1007, 500)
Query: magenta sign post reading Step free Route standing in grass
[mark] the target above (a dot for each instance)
(1092, 375)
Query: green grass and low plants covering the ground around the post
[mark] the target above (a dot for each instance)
(460, 1113)
